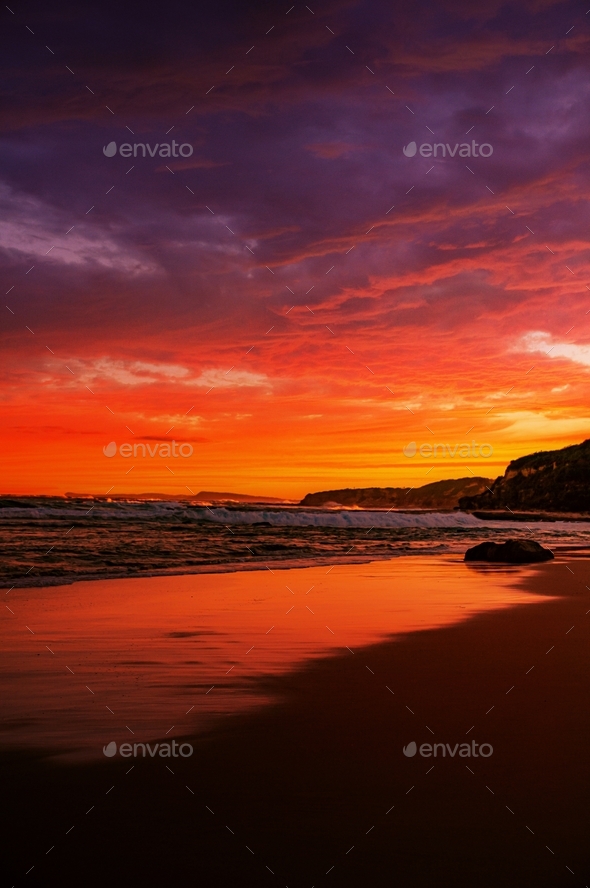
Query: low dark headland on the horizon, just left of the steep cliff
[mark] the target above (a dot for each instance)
(437, 495)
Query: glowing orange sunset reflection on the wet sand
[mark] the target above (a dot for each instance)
(183, 651)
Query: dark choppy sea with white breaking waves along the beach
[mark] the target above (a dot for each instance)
(59, 540)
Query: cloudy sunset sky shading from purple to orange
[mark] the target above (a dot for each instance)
(295, 297)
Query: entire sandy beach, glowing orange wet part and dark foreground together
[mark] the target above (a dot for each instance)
(298, 775)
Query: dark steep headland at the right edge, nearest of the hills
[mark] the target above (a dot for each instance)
(547, 481)
